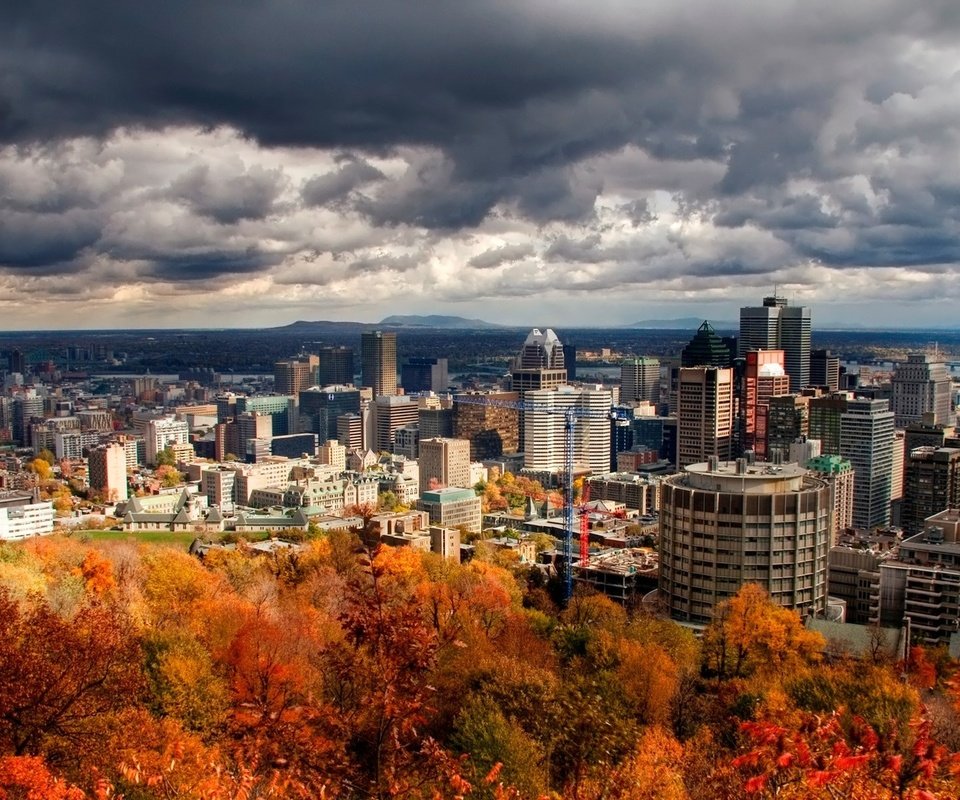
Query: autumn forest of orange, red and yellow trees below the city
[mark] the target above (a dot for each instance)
(347, 671)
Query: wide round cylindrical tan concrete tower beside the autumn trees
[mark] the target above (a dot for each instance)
(727, 523)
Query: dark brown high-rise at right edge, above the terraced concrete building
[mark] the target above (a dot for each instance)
(931, 485)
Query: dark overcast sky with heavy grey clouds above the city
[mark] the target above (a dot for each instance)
(254, 162)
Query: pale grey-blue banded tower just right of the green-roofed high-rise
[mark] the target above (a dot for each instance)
(866, 439)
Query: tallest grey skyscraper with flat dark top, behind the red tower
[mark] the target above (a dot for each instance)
(778, 326)
